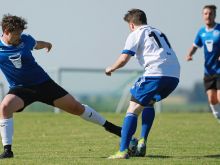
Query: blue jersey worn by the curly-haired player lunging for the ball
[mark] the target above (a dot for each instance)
(18, 64)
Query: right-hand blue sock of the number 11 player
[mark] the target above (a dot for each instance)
(148, 116)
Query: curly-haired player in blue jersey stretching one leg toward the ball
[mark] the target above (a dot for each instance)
(28, 82)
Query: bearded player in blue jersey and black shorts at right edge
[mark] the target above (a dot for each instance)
(209, 37)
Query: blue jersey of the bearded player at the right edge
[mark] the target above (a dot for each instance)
(210, 39)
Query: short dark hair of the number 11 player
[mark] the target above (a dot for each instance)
(136, 16)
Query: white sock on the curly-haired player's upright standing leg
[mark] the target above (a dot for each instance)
(6, 130)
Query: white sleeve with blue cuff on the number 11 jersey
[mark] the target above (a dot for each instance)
(131, 45)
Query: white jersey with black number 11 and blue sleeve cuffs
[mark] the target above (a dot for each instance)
(153, 51)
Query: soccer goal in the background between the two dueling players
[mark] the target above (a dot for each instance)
(91, 86)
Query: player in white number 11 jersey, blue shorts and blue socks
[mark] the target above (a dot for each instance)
(161, 76)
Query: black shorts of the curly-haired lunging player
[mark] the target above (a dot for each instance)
(45, 92)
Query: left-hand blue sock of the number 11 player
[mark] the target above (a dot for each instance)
(128, 129)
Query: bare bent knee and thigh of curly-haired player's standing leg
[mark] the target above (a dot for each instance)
(11, 103)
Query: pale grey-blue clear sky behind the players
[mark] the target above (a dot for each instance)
(92, 33)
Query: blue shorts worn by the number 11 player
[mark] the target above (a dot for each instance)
(148, 89)
